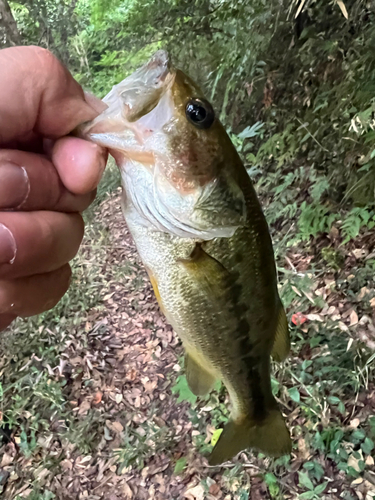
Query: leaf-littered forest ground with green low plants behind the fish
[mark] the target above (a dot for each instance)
(94, 402)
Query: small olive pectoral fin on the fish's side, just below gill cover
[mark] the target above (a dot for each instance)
(208, 273)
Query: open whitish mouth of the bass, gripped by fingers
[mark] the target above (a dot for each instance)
(136, 107)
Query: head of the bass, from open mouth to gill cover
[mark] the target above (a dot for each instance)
(170, 147)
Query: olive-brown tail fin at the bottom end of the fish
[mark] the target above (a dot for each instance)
(271, 437)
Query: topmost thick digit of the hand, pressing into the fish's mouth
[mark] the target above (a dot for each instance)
(38, 95)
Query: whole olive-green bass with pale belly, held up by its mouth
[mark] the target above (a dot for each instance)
(200, 232)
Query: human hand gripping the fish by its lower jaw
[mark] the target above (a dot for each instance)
(46, 179)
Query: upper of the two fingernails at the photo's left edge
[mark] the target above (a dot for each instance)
(14, 185)
